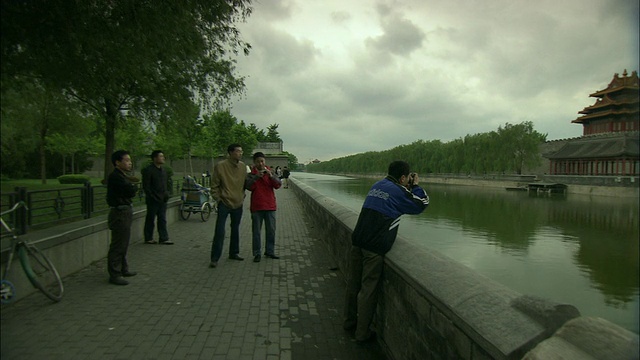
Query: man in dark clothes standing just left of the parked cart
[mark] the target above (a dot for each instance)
(154, 183)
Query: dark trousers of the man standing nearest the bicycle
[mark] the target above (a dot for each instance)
(120, 225)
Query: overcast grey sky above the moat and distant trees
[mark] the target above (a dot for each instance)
(342, 77)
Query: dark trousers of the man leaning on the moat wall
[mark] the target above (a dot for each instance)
(361, 297)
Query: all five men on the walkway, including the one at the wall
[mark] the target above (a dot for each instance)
(374, 235)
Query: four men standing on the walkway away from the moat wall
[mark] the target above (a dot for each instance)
(228, 184)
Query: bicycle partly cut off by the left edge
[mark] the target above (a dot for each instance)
(36, 265)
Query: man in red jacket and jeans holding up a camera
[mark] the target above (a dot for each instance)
(262, 182)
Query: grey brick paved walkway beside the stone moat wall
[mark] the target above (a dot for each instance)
(178, 308)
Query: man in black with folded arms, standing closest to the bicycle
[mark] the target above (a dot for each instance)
(120, 190)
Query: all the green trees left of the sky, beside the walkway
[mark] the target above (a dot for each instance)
(85, 77)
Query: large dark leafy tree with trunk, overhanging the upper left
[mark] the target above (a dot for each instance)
(140, 58)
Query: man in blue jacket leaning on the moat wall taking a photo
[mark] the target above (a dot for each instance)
(373, 237)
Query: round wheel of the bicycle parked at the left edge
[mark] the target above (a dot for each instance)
(41, 272)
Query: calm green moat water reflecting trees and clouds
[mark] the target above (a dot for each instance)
(573, 249)
